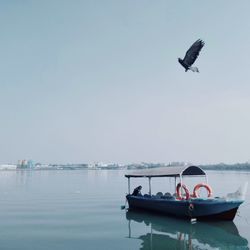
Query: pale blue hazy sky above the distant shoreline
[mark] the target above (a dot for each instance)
(84, 81)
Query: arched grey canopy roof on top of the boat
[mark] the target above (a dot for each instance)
(168, 172)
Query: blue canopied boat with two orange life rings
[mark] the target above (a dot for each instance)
(182, 203)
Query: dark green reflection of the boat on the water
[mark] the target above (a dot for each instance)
(170, 233)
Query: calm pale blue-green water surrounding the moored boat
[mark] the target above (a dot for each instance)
(81, 210)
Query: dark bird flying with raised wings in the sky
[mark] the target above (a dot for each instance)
(191, 56)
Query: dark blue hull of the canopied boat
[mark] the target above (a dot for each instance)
(209, 209)
